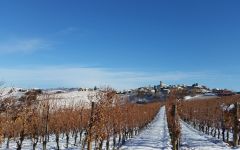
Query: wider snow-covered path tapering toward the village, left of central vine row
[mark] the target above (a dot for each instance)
(156, 136)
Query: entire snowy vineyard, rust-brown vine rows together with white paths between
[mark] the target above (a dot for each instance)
(110, 121)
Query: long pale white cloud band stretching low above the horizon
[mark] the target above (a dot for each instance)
(89, 77)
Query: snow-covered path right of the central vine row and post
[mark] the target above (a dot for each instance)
(195, 140)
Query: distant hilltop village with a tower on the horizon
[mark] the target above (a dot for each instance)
(161, 92)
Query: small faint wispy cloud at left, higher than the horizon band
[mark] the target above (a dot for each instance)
(23, 45)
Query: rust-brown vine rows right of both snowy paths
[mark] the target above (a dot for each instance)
(217, 117)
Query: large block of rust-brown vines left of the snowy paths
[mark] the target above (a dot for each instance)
(107, 123)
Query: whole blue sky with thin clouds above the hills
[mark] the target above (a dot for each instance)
(125, 44)
